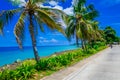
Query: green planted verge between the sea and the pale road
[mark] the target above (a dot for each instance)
(30, 70)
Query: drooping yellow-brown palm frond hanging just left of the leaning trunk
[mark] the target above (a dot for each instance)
(19, 29)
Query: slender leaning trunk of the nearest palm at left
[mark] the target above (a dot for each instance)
(31, 30)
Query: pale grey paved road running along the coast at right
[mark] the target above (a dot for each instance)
(105, 67)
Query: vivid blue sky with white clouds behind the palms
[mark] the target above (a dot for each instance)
(109, 14)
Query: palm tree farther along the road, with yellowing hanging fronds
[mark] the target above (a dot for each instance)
(79, 23)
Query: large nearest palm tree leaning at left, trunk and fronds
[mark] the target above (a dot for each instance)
(32, 14)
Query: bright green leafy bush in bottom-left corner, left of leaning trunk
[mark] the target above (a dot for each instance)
(23, 72)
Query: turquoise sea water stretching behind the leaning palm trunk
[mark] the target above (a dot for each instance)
(9, 55)
